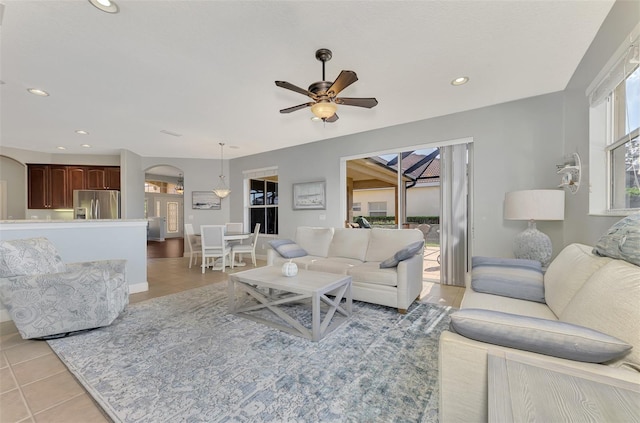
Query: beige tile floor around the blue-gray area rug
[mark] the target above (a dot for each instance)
(36, 387)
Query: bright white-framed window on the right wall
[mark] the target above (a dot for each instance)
(614, 118)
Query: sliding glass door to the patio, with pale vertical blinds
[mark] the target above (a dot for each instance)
(426, 188)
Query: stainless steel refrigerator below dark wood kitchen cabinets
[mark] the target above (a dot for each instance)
(96, 204)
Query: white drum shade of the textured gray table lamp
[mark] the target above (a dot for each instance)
(538, 204)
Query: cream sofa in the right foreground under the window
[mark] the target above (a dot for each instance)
(580, 288)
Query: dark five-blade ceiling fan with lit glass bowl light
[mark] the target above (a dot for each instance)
(324, 93)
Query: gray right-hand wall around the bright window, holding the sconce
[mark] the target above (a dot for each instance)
(579, 225)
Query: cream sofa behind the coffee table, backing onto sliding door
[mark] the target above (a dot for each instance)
(358, 253)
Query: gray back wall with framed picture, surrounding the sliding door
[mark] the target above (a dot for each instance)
(516, 146)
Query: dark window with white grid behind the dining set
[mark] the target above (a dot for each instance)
(263, 205)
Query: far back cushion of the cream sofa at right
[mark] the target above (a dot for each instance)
(566, 274)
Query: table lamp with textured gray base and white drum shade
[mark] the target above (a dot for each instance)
(532, 205)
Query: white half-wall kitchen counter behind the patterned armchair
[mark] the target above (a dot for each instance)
(86, 240)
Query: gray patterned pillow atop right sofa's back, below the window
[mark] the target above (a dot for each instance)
(622, 240)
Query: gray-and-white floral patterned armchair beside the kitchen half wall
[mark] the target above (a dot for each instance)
(46, 297)
